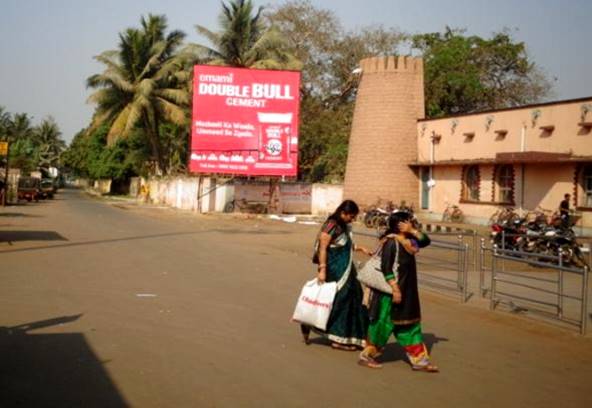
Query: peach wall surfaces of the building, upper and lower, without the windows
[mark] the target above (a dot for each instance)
(444, 141)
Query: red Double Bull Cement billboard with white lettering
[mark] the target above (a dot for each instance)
(245, 121)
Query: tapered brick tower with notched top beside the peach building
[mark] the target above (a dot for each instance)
(383, 138)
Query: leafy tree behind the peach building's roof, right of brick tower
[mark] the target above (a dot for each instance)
(470, 73)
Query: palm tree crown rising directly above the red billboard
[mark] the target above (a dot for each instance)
(244, 41)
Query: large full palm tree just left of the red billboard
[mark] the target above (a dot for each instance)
(143, 84)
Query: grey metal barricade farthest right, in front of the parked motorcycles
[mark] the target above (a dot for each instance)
(529, 286)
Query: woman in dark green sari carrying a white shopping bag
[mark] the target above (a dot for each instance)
(348, 321)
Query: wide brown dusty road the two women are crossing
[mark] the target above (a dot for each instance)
(107, 304)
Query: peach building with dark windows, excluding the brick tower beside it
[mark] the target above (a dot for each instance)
(524, 157)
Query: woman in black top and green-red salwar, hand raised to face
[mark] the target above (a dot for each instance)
(400, 313)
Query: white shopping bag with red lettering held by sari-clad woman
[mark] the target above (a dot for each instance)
(315, 303)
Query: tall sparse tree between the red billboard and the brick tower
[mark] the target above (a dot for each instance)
(329, 55)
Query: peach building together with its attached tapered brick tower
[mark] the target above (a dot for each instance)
(524, 157)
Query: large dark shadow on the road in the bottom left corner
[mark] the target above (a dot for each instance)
(53, 370)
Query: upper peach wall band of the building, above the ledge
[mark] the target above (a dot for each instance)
(524, 133)
